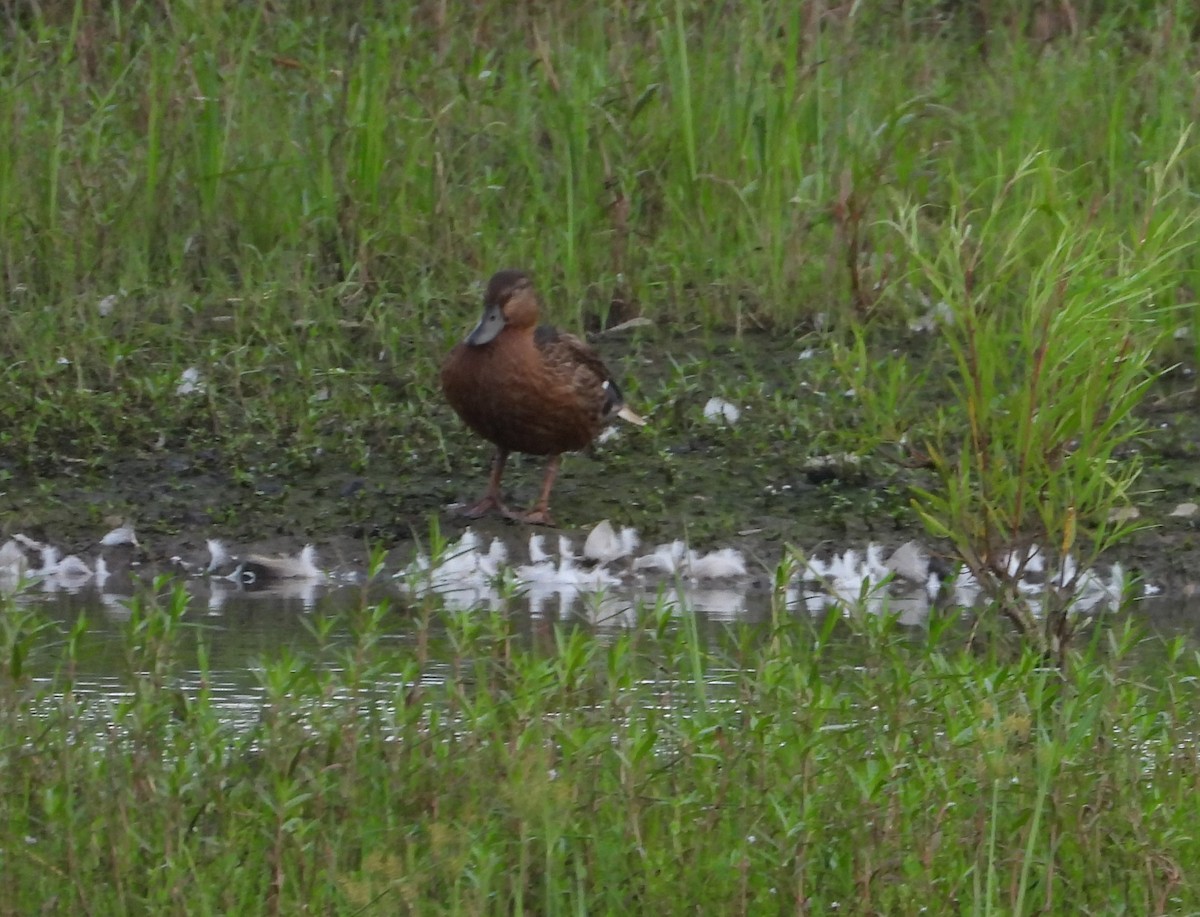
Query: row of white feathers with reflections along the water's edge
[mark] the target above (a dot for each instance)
(253, 606)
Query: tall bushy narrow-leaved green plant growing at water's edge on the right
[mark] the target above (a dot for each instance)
(1054, 320)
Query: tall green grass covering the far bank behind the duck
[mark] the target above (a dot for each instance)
(281, 200)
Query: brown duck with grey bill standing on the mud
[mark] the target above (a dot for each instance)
(527, 389)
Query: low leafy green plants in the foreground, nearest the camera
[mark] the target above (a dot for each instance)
(596, 774)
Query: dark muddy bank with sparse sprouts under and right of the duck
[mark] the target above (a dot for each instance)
(758, 486)
